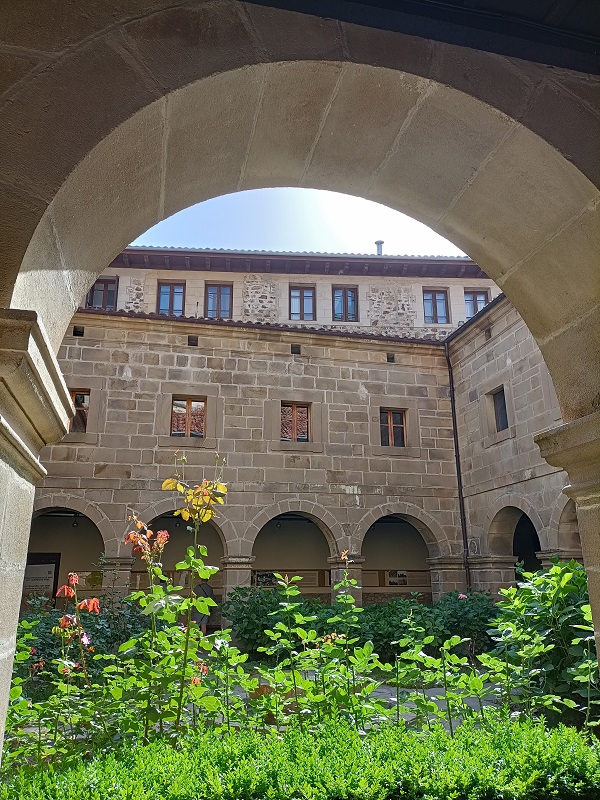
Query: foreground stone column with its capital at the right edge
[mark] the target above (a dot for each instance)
(575, 447)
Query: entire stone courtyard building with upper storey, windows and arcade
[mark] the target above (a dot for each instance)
(296, 502)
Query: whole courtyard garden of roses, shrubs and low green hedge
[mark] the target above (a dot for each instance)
(463, 700)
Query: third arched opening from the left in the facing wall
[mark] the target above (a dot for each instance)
(293, 544)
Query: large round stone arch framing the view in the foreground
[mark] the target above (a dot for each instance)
(278, 99)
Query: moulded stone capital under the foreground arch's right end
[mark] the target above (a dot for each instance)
(575, 447)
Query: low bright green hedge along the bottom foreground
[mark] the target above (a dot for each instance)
(504, 761)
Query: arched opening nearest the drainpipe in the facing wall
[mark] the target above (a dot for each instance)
(396, 561)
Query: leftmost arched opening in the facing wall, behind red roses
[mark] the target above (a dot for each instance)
(63, 540)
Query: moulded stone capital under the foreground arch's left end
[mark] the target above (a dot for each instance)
(36, 404)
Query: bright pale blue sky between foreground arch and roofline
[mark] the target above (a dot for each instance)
(296, 220)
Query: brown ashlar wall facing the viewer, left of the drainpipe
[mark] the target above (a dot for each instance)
(344, 479)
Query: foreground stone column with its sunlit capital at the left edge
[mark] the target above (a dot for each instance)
(35, 407)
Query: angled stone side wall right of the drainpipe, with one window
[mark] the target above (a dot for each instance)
(504, 471)
